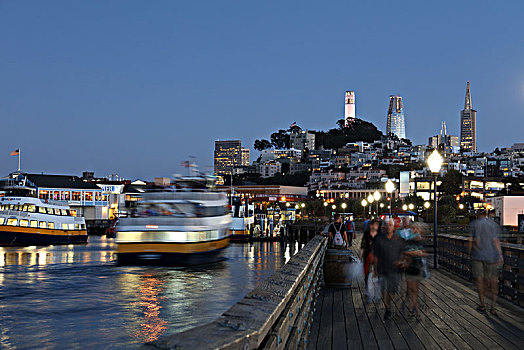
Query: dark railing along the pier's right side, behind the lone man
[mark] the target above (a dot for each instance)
(454, 257)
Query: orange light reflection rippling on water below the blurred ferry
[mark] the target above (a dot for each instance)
(149, 292)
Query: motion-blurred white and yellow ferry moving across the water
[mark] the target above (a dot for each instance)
(187, 224)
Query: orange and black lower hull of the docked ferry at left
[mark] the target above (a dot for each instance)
(18, 237)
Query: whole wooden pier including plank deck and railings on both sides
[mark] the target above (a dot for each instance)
(293, 310)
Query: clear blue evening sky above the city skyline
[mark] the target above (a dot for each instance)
(135, 87)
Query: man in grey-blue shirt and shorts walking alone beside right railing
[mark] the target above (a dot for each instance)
(486, 257)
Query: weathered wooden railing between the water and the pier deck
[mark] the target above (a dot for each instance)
(275, 315)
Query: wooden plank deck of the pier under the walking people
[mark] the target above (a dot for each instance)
(448, 320)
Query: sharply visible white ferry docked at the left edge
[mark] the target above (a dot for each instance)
(26, 221)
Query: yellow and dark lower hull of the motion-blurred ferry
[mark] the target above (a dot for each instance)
(171, 254)
